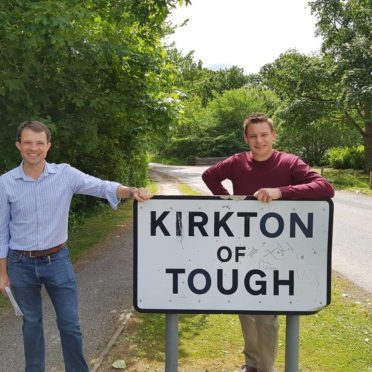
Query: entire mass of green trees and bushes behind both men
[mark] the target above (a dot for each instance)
(98, 73)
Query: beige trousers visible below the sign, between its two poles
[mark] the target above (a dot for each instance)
(260, 334)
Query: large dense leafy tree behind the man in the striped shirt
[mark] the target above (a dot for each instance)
(95, 71)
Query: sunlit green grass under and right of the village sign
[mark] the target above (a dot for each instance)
(338, 338)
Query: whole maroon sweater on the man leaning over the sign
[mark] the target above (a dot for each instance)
(285, 171)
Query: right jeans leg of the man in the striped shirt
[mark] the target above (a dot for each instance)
(60, 283)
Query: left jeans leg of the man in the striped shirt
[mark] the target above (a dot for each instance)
(26, 288)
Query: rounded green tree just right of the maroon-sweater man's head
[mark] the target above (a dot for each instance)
(309, 121)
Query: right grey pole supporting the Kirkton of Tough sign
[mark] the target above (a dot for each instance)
(292, 343)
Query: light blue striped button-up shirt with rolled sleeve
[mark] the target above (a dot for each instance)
(34, 213)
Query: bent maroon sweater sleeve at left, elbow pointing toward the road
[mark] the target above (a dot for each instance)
(217, 173)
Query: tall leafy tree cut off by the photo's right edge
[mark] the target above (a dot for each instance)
(346, 29)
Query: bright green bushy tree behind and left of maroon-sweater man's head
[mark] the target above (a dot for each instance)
(220, 131)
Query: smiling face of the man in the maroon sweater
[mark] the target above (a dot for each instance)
(259, 138)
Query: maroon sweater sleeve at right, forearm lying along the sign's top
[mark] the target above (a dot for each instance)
(306, 183)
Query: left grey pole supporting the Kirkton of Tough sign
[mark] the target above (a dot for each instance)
(171, 343)
